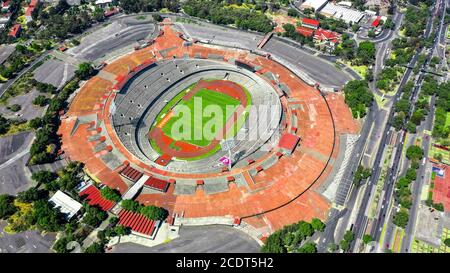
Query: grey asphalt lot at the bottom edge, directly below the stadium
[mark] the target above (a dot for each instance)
(206, 239)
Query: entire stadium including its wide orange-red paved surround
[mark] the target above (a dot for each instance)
(123, 123)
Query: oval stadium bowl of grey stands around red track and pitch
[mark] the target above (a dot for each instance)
(145, 114)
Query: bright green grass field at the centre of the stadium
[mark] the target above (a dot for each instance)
(197, 122)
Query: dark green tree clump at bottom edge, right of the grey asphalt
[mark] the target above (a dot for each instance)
(290, 238)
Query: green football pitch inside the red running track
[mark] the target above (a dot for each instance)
(195, 120)
